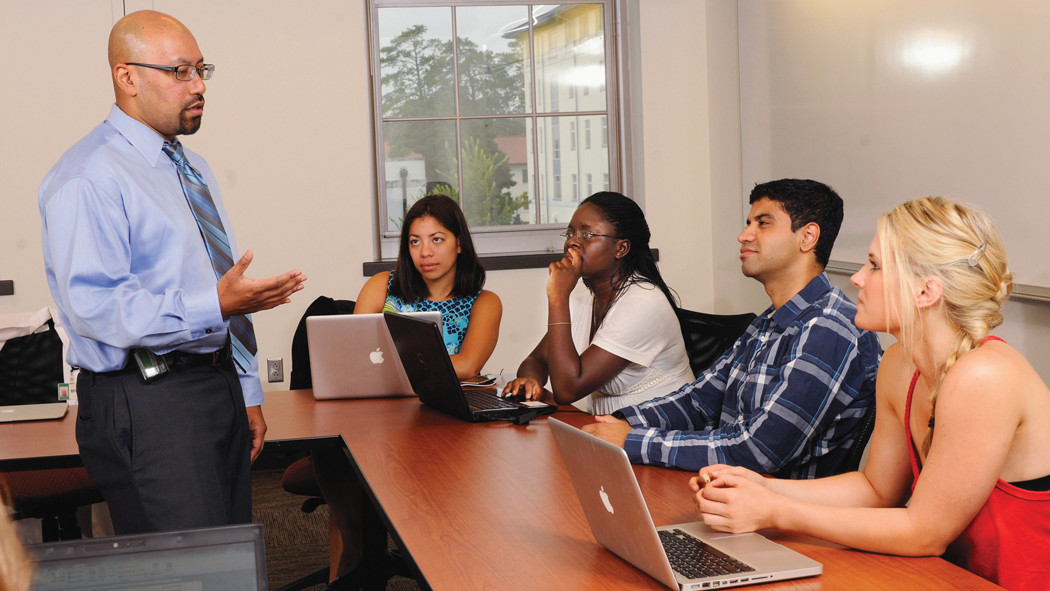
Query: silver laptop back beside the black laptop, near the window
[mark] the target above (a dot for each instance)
(352, 356)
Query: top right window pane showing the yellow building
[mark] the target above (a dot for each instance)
(570, 58)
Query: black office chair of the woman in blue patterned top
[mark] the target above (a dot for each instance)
(299, 478)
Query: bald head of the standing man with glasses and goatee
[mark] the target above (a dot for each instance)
(144, 49)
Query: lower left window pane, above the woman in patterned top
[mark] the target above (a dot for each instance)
(421, 160)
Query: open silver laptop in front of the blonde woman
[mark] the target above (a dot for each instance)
(620, 521)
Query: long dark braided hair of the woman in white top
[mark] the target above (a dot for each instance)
(629, 222)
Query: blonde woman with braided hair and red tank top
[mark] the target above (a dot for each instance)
(960, 458)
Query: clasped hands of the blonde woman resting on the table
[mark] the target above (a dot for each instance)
(733, 499)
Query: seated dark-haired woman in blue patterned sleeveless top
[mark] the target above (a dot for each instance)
(438, 271)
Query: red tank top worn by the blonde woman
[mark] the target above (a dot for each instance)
(1009, 542)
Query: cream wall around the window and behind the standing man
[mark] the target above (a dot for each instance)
(292, 153)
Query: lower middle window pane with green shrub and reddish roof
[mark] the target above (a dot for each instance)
(496, 158)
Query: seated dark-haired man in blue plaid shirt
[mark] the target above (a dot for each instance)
(789, 398)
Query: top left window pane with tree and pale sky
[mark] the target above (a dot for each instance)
(416, 62)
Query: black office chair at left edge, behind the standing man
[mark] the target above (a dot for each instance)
(31, 371)
